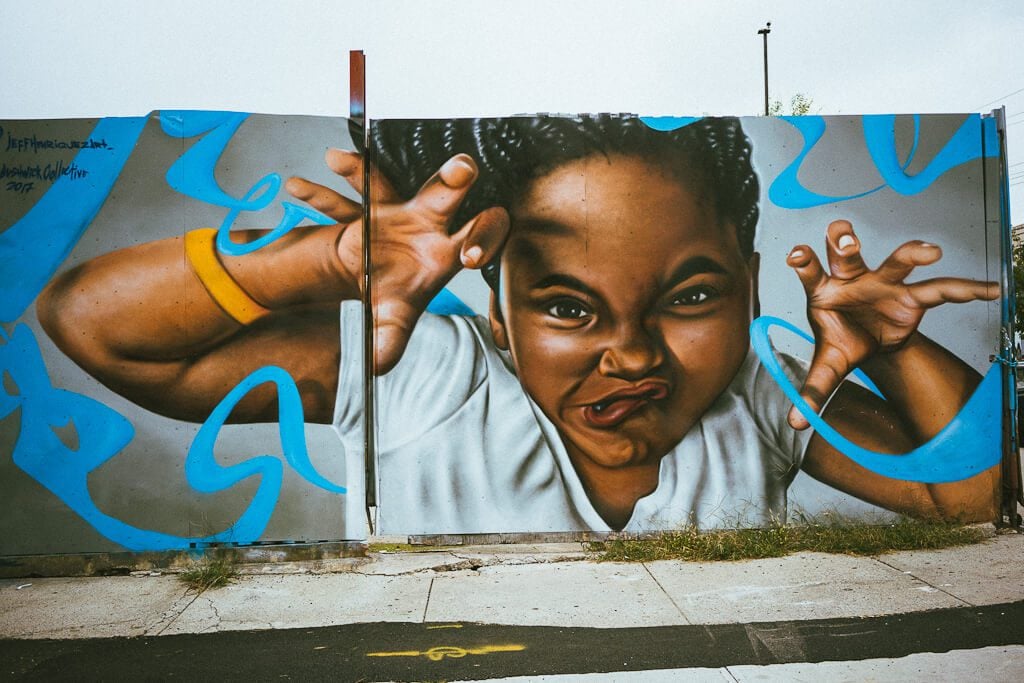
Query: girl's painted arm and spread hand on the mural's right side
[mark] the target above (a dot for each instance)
(870, 319)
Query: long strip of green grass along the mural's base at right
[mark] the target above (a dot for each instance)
(835, 537)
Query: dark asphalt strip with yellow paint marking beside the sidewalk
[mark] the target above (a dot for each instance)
(402, 652)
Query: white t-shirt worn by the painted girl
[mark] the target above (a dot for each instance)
(461, 448)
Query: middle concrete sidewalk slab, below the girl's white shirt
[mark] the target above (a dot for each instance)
(567, 594)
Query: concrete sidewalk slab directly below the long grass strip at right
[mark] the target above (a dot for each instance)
(797, 587)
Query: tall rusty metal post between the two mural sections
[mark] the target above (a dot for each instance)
(358, 113)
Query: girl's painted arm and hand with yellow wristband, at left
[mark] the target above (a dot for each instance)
(141, 322)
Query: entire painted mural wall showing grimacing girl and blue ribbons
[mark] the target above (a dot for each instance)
(600, 323)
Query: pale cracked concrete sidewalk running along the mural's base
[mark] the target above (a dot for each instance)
(552, 585)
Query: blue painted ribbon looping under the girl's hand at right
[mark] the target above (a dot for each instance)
(969, 445)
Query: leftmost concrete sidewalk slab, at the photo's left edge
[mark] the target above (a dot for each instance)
(89, 608)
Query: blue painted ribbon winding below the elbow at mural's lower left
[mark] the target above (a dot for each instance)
(103, 434)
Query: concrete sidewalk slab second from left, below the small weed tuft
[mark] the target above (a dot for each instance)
(297, 602)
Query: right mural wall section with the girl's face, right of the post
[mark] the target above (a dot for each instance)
(653, 290)
